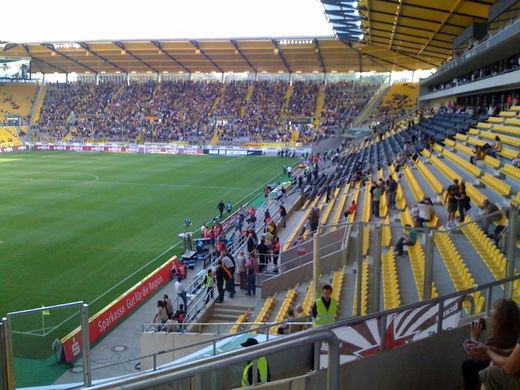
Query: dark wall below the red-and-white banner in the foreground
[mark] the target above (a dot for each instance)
(430, 364)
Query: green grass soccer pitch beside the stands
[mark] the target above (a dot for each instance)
(74, 225)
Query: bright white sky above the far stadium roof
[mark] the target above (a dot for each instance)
(73, 20)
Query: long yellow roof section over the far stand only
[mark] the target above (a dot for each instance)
(305, 55)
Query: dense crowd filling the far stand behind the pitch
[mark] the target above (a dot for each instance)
(193, 110)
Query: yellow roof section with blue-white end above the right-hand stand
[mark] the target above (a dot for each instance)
(422, 29)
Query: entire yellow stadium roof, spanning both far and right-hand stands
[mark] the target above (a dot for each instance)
(372, 35)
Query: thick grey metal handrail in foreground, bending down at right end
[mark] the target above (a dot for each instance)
(195, 369)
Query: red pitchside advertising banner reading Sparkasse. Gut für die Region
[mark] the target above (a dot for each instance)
(107, 318)
